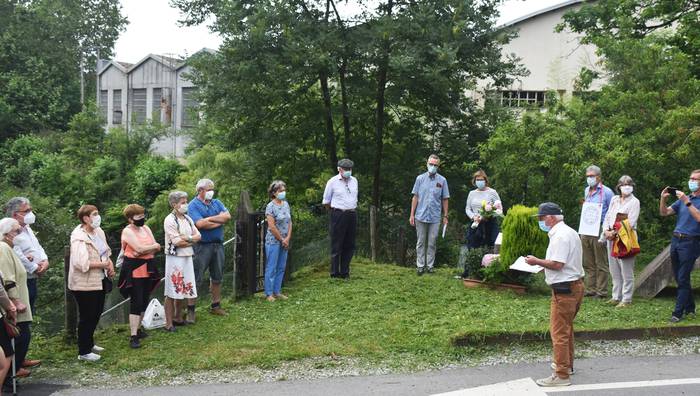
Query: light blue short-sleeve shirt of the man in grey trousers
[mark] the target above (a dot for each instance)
(431, 190)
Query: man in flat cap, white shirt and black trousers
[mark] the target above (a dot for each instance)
(340, 196)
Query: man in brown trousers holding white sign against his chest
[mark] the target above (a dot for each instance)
(597, 199)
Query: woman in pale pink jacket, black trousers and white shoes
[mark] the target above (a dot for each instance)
(90, 263)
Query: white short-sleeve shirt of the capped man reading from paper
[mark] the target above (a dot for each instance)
(564, 247)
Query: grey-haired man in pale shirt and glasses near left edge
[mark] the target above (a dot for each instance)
(26, 245)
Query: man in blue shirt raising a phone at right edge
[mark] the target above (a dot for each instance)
(685, 244)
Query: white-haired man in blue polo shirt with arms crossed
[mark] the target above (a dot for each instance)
(209, 216)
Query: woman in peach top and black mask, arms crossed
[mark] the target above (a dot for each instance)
(138, 276)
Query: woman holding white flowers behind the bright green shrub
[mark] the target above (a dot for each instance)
(486, 231)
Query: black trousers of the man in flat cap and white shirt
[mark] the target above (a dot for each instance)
(343, 230)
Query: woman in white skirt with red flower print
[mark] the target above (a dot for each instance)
(180, 235)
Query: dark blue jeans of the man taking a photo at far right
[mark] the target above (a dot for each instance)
(684, 252)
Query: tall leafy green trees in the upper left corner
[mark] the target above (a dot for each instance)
(41, 44)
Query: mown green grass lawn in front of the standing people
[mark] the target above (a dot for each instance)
(384, 311)
